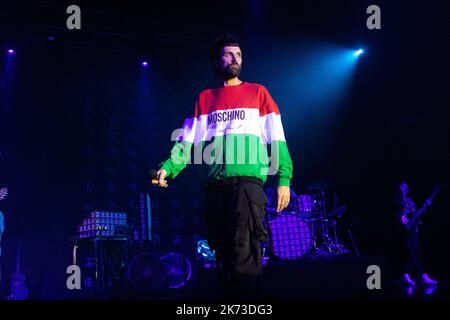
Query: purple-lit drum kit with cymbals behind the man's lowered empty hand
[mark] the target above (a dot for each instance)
(307, 228)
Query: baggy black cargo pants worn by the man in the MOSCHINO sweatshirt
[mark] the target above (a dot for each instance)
(235, 209)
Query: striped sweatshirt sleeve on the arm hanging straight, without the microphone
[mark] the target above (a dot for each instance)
(273, 135)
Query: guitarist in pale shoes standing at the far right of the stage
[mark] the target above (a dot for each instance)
(410, 234)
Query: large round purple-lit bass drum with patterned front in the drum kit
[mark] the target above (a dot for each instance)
(291, 236)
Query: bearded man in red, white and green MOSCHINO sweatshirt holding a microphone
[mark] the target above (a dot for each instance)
(231, 127)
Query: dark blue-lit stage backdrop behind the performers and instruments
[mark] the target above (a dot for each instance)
(81, 121)
